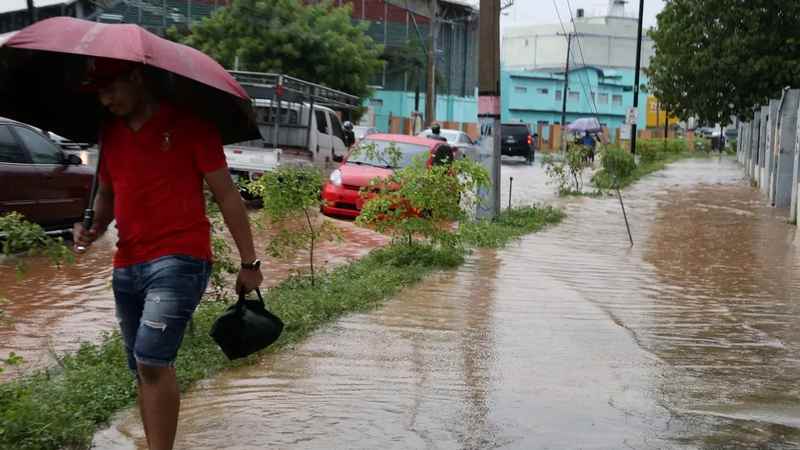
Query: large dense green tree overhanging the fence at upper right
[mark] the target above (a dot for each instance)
(718, 58)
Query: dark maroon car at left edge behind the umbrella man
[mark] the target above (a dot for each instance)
(40, 181)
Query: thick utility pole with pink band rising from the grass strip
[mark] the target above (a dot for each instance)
(489, 103)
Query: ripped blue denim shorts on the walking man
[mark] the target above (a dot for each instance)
(154, 302)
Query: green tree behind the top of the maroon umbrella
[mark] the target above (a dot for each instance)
(317, 42)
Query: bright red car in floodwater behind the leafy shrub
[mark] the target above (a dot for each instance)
(341, 194)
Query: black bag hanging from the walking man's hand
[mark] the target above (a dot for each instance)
(246, 327)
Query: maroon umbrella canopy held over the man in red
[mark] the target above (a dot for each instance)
(43, 66)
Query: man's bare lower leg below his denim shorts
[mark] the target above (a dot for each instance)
(159, 401)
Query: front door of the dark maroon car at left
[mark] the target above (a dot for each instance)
(63, 188)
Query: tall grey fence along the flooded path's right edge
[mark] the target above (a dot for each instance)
(768, 146)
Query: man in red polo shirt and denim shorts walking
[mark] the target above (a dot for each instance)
(156, 158)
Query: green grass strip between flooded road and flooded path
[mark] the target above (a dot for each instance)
(61, 407)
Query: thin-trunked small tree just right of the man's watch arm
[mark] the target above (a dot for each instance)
(291, 198)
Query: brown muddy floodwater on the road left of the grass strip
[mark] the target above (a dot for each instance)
(52, 310)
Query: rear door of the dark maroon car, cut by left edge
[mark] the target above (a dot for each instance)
(19, 179)
